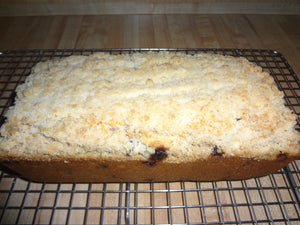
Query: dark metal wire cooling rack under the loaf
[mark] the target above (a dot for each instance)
(273, 199)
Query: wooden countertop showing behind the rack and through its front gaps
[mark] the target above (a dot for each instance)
(276, 32)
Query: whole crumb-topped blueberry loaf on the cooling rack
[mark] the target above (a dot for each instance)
(148, 116)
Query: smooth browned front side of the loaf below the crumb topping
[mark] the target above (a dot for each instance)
(211, 169)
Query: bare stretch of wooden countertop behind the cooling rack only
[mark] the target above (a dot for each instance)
(277, 32)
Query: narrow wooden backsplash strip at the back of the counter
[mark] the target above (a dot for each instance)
(101, 7)
